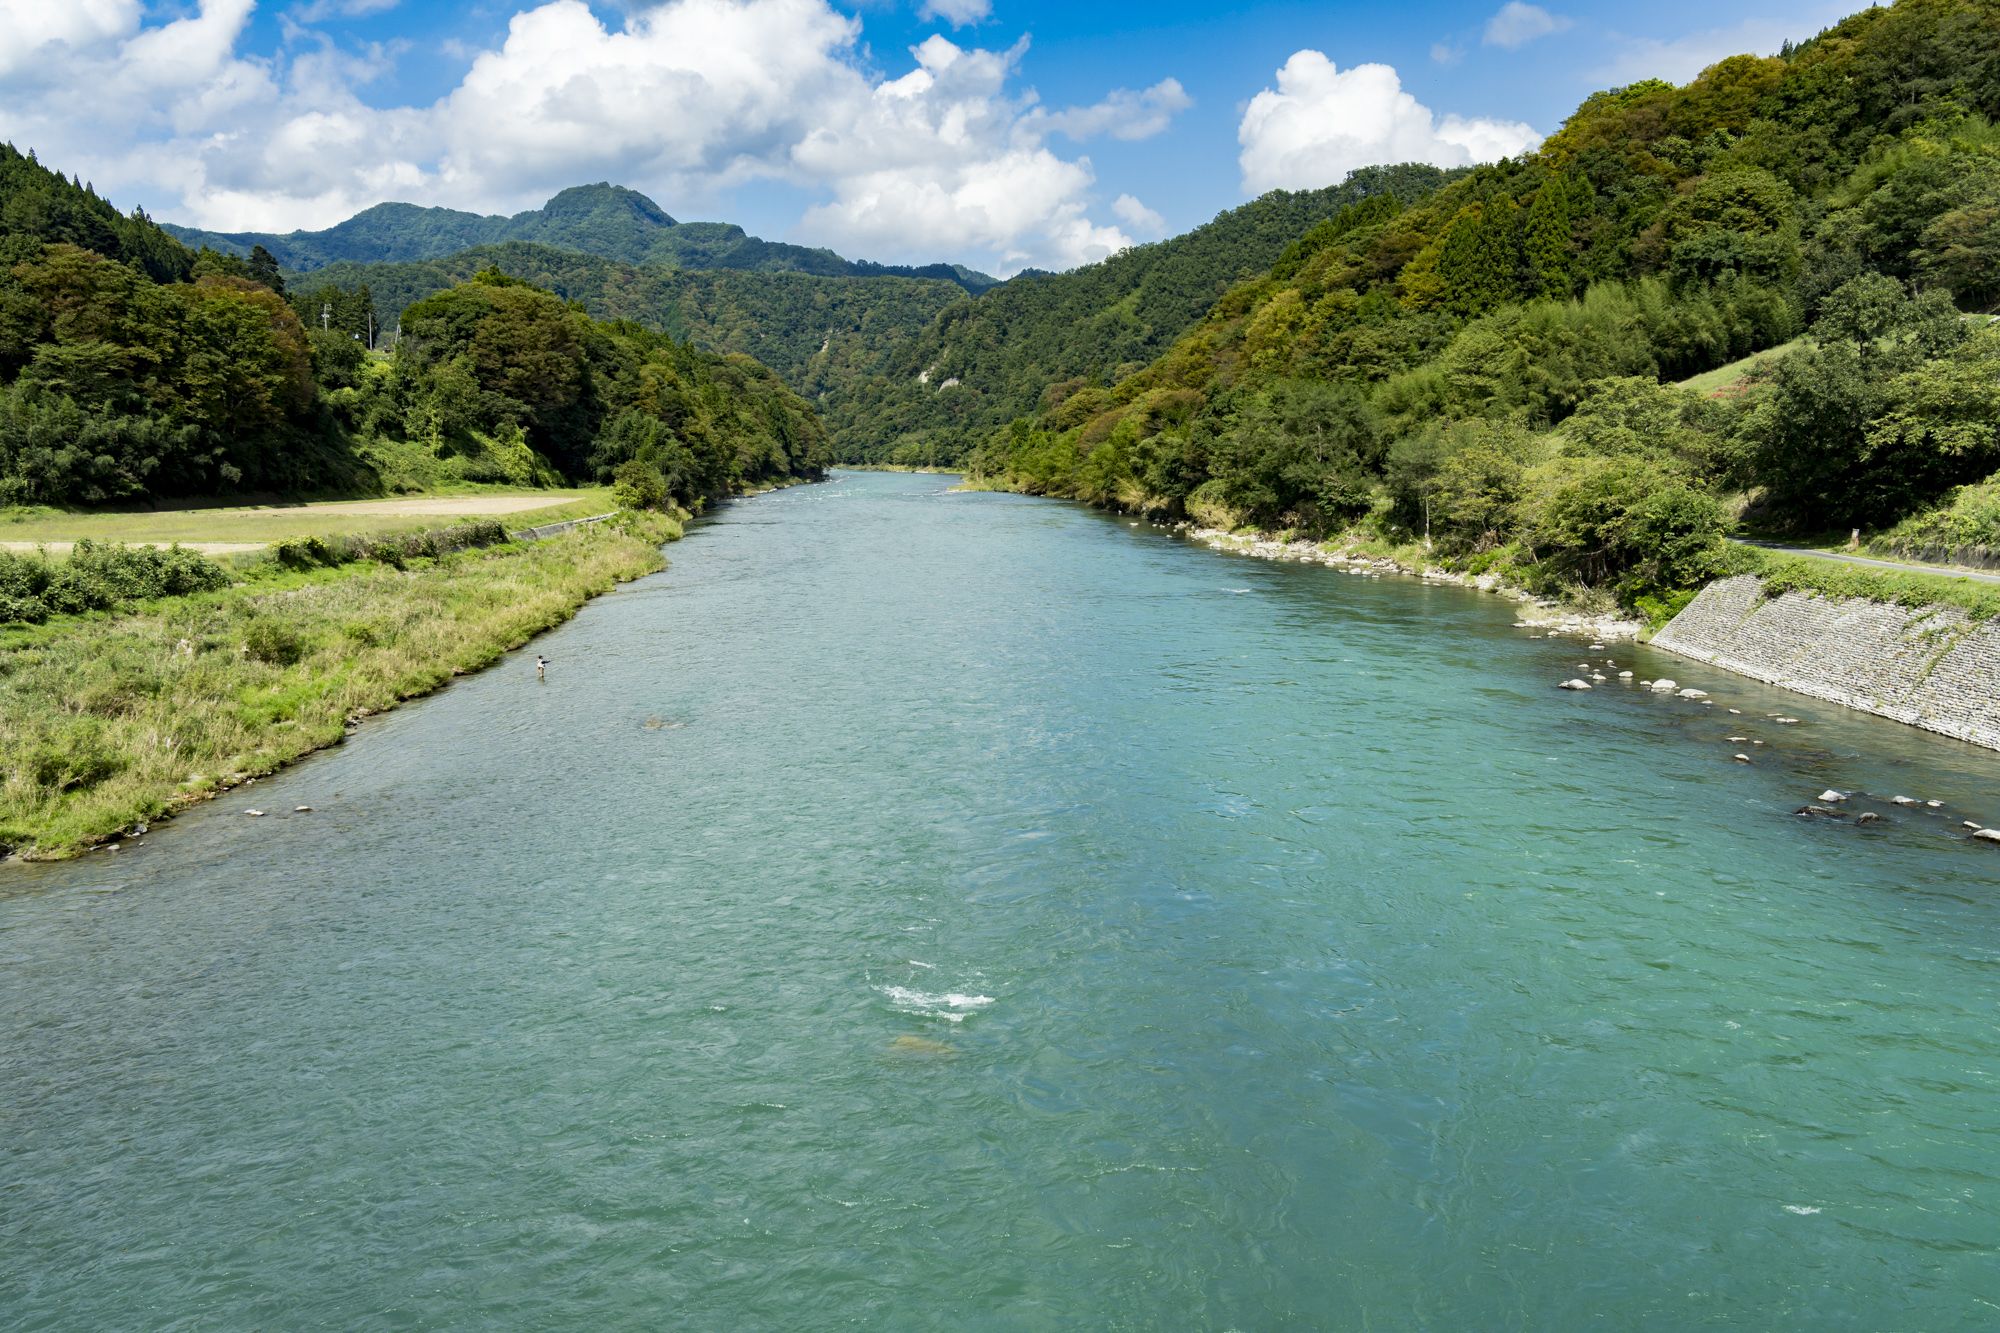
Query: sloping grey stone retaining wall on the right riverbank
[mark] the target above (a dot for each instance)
(1931, 668)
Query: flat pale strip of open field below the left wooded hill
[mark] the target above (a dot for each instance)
(269, 523)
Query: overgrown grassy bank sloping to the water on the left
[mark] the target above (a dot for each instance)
(119, 720)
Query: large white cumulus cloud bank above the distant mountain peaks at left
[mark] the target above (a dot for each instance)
(685, 99)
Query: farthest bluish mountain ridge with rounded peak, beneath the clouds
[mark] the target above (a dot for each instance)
(605, 221)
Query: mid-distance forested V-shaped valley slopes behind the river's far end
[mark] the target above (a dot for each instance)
(913, 371)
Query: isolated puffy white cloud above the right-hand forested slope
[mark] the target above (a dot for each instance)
(1321, 123)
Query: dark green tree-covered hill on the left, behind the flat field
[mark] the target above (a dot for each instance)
(135, 369)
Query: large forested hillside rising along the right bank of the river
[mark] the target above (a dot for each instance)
(1491, 367)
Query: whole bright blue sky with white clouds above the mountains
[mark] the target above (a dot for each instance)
(999, 133)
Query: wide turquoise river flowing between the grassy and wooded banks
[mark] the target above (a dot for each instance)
(939, 912)
